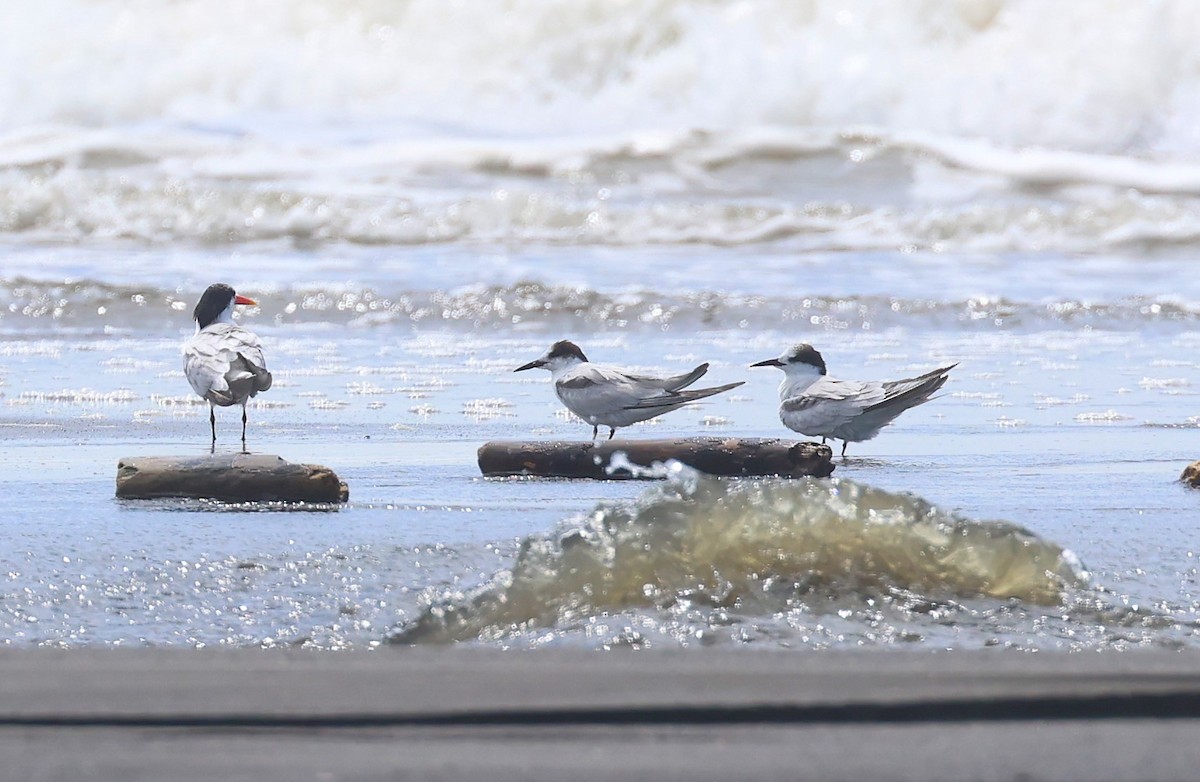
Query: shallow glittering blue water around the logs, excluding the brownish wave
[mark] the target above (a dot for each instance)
(1073, 432)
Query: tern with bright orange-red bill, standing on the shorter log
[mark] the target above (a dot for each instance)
(225, 363)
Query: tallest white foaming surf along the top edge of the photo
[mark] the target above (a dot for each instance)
(1125, 86)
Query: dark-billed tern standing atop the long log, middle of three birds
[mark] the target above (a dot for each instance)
(611, 398)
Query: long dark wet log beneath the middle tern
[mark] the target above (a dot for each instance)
(716, 456)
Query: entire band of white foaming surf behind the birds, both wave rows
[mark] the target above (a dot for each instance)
(585, 122)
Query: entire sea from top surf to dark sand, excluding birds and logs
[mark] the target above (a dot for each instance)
(423, 196)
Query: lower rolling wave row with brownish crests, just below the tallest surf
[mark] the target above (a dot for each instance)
(812, 190)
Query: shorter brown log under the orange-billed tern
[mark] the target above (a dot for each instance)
(232, 478)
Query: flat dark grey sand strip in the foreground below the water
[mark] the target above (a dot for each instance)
(452, 714)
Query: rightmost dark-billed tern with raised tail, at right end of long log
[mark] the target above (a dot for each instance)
(815, 405)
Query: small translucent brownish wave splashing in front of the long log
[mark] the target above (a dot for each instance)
(752, 548)
